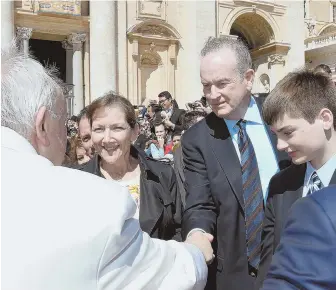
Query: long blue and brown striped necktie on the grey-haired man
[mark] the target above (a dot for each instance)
(253, 196)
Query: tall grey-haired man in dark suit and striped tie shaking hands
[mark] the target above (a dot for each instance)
(229, 160)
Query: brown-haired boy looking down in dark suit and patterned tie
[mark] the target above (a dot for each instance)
(310, 140)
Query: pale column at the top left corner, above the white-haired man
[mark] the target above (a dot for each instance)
(7, 22)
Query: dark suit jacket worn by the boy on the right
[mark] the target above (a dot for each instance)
(285, 188)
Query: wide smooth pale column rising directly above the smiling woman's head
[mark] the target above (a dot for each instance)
(103, 48)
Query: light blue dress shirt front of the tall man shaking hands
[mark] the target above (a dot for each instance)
(262, 145)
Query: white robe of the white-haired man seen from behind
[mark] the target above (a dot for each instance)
(64, 229)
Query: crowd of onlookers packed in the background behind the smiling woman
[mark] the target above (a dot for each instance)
(159, 128)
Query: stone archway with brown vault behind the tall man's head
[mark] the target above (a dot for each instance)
(258, 29)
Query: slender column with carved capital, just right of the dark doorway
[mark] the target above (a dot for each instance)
(77, 40)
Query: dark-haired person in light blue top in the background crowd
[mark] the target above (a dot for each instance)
(160, 148)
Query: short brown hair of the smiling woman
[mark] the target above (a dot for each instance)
(112, 99)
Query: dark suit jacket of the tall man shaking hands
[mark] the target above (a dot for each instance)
(214, 200)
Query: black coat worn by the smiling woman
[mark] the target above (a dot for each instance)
(160, 201)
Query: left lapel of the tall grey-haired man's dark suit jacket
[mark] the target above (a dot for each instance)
(226, 154)
